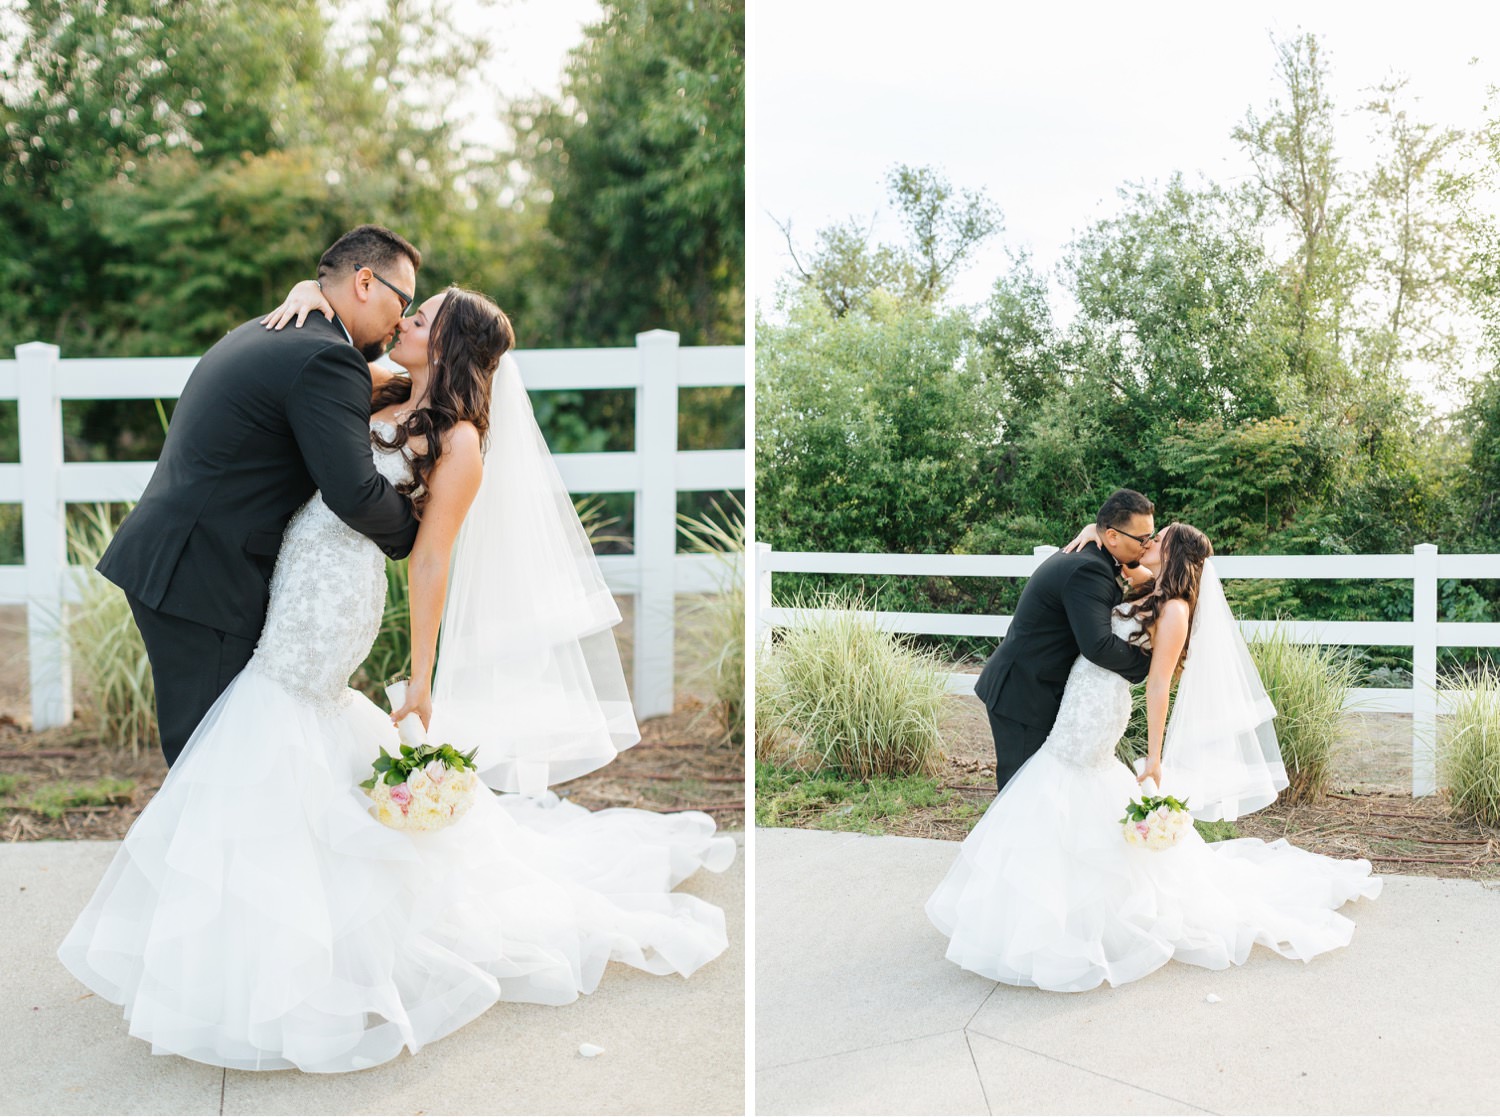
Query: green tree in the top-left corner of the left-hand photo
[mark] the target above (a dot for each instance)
(91, 95)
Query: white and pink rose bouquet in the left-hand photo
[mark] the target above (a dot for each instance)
(425, 788)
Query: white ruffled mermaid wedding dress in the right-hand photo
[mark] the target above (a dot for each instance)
(1048, 893)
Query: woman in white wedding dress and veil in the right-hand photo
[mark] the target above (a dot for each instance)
(1048, 893)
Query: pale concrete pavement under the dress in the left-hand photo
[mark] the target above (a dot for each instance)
(671, 1046)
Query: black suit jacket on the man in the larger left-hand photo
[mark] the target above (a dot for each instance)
(266, 419)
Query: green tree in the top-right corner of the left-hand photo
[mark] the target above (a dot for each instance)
(641, 169)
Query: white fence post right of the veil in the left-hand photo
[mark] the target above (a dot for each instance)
(656, 523)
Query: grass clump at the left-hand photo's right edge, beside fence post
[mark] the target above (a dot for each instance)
(721, 639)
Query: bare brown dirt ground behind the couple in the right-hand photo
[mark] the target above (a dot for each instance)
(1369, 813)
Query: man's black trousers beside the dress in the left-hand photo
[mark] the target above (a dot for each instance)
(191, 665)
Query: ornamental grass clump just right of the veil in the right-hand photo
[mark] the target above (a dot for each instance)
(1309, 686)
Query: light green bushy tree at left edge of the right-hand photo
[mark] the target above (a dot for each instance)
(872, 433)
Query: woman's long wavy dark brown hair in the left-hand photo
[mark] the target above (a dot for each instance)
(469, 337)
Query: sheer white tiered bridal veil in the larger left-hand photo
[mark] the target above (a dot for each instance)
(527, 663)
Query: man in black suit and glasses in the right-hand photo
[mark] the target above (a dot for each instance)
(1064, 614)
